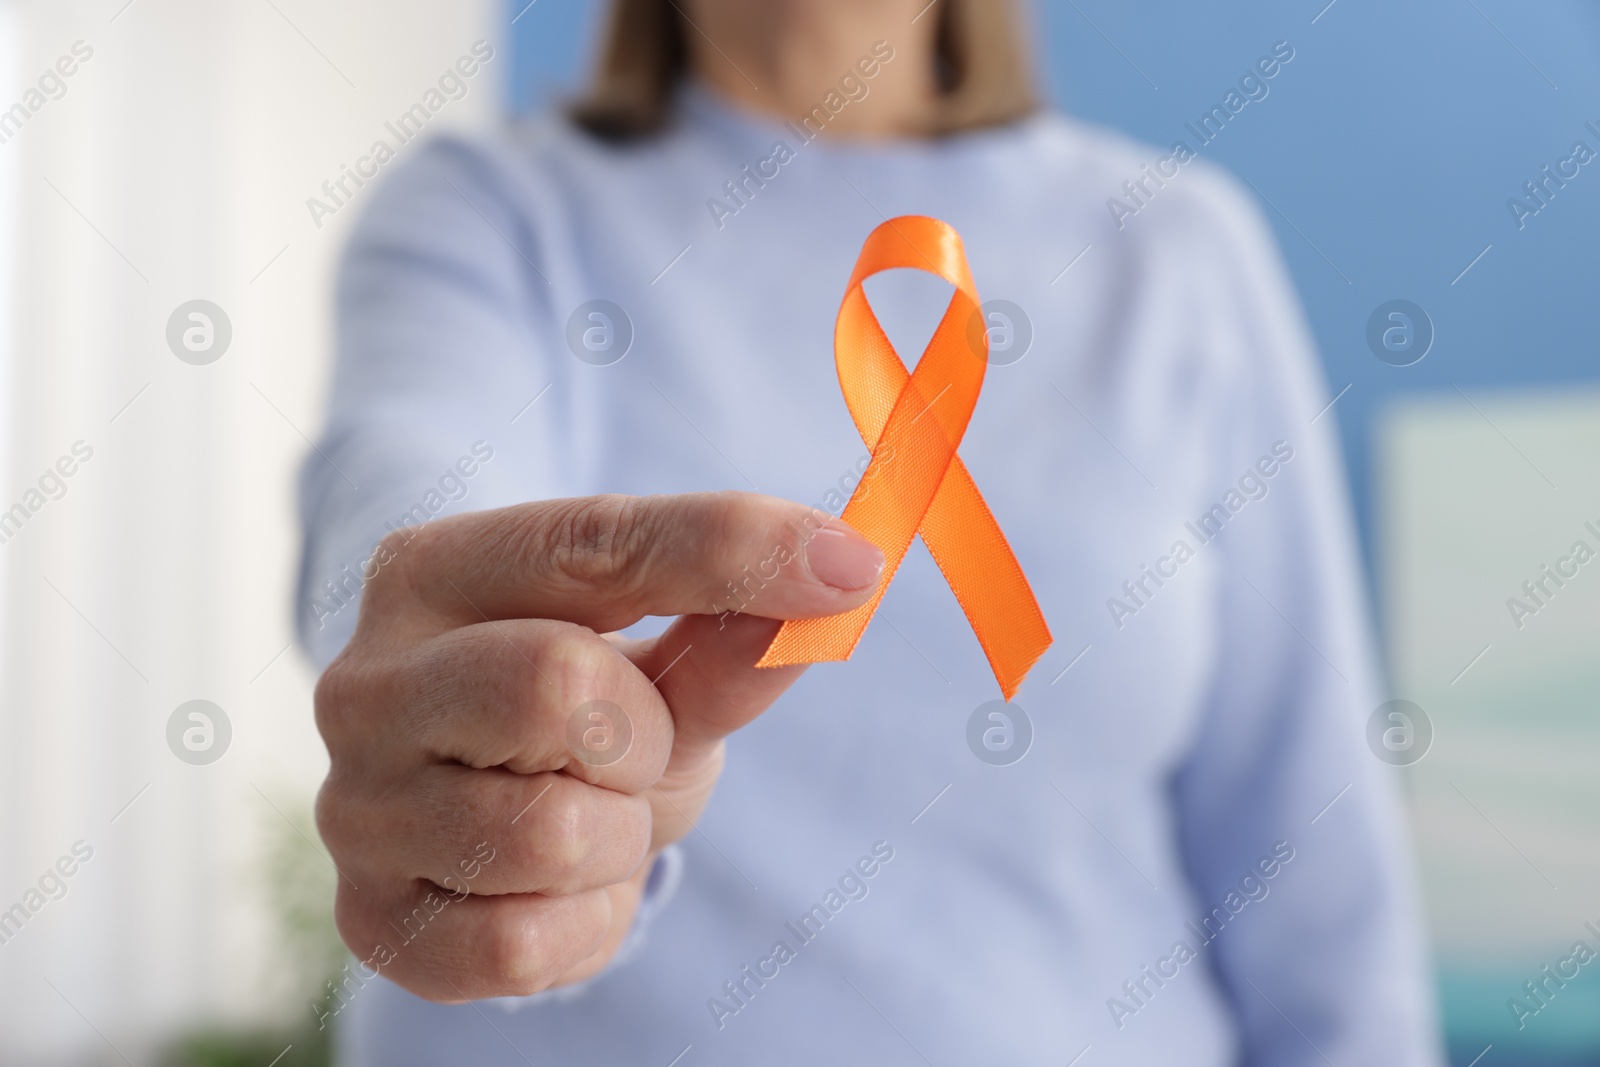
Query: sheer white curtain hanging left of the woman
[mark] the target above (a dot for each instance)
(172, 166)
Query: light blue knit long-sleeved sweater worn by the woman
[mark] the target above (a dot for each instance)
(1198, 861)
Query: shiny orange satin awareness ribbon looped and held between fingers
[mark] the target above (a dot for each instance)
(916, 482)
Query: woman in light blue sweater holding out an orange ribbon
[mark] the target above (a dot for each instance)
(1172, 849)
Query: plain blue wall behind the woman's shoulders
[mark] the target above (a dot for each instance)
(1390, 148)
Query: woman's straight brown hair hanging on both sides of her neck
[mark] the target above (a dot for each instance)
(986, 73)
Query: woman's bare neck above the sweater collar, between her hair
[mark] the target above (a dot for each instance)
(783, 58)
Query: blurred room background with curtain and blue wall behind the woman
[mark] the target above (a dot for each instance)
(151, 446)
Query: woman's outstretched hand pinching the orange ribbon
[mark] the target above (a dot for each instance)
(490, 837)
